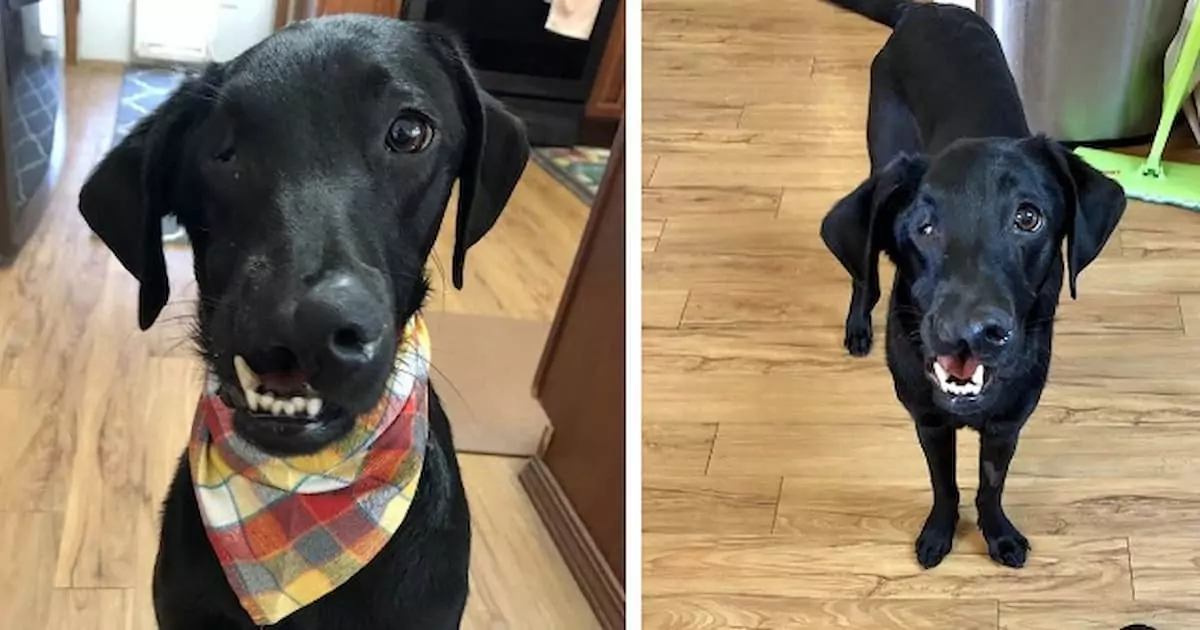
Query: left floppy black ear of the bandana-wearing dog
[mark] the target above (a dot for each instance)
(128, 195)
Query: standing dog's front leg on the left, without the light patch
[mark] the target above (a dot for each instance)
(938, 537)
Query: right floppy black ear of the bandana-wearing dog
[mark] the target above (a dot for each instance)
(494, 160)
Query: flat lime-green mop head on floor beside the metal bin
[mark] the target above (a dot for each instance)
(1173, 183)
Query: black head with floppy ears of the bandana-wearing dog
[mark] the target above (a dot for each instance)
(311, 175)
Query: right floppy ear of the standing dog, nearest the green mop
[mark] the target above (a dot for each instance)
(1094, 203)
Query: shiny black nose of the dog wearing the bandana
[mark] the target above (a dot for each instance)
(339, 325)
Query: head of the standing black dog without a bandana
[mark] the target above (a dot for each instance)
(976, 233)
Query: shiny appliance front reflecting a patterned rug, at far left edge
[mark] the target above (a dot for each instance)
(32, 112)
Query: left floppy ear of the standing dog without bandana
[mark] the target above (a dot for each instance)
(860, 226)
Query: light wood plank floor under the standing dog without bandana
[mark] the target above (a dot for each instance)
(784, 485)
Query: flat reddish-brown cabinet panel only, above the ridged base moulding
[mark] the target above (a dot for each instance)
(581, 381)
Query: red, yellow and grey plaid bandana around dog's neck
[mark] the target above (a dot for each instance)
(289, 531)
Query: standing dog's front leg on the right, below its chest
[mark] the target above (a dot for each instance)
(1006, 544)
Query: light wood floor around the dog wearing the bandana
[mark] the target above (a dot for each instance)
(93, 413)
